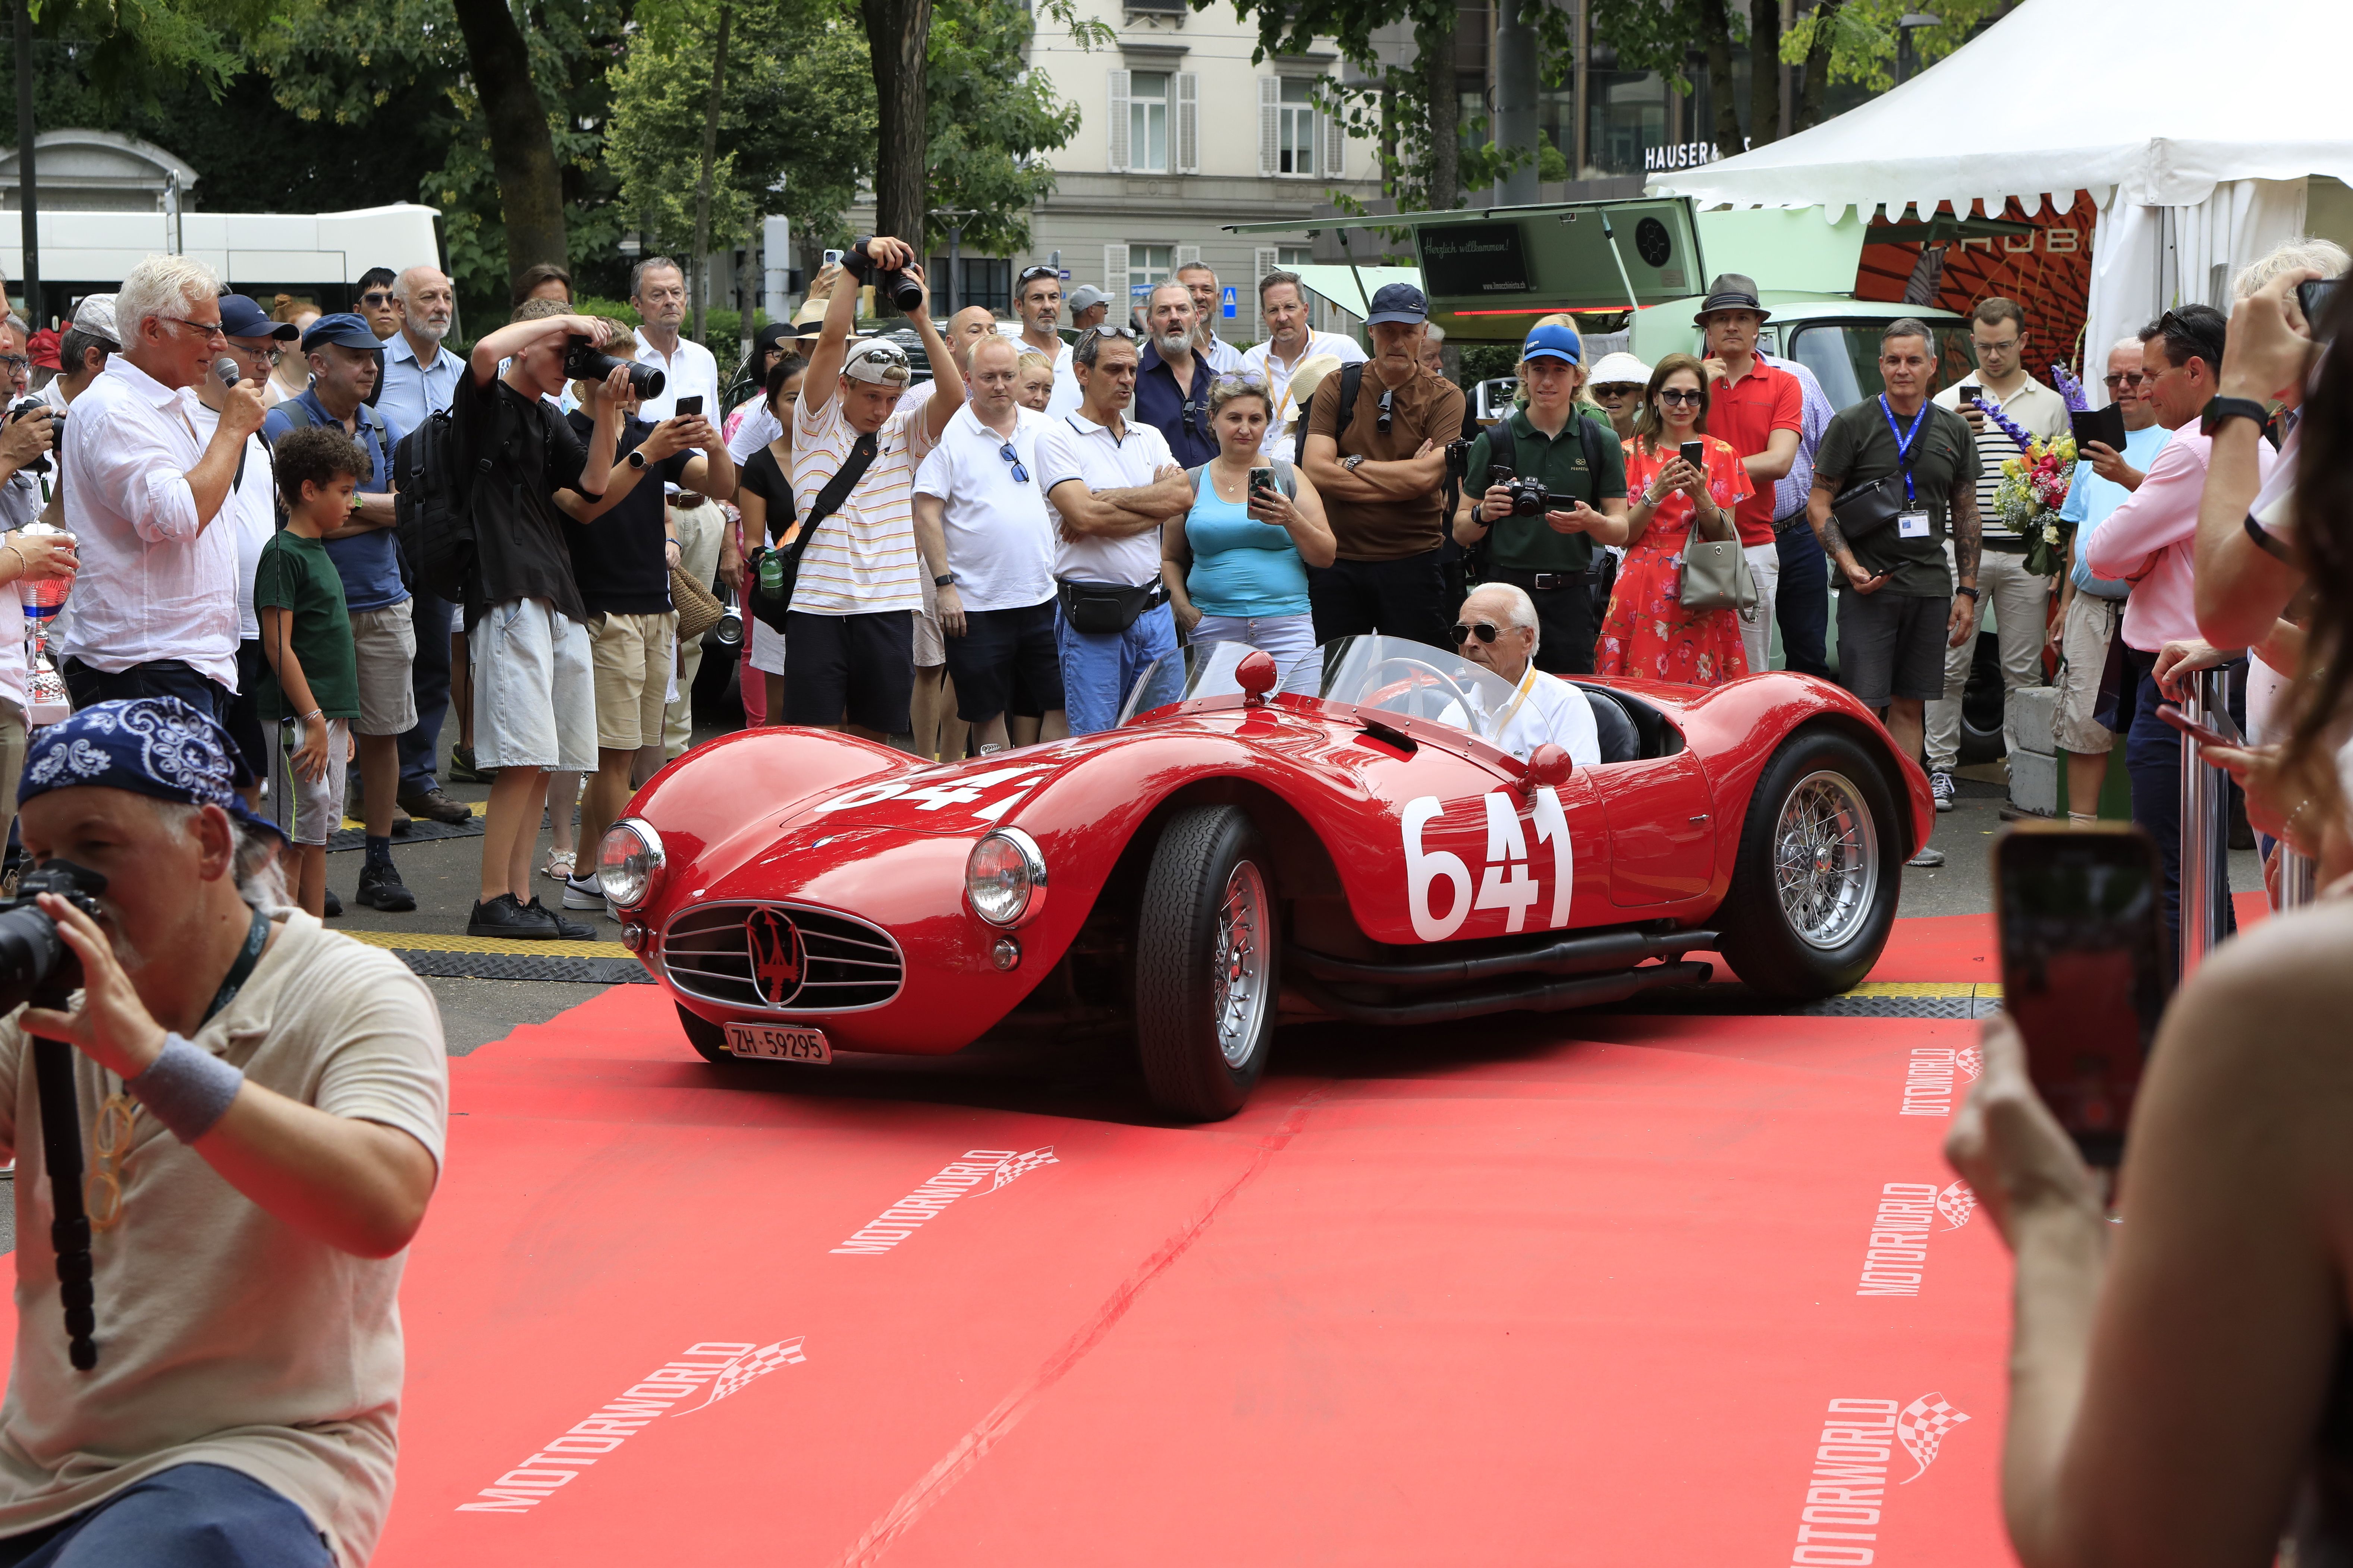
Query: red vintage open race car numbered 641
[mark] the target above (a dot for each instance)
(1229, 857)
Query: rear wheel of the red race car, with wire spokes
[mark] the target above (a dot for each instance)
(1764, 934)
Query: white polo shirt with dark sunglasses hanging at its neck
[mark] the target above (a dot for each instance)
(1001, 535)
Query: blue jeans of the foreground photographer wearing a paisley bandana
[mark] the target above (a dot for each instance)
(182, 1517)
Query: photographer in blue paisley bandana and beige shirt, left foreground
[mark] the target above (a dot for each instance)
(262, 1111)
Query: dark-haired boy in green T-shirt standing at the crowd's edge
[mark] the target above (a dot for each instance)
(307, 641)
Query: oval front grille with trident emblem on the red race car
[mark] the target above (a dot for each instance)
(780, 958)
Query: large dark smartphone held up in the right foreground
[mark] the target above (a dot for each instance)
(2084, 970)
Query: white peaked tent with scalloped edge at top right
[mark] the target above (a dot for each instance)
(2192, 128)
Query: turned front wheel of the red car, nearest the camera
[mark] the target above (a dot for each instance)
(1204, 855)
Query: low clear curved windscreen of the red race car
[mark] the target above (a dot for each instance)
(1382, 674)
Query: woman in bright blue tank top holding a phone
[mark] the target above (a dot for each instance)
(1237, 565)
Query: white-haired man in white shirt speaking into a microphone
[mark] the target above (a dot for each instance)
(156, 608)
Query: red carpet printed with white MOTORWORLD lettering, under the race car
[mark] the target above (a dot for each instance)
(1531, 1292)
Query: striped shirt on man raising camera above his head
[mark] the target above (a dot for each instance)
(862, 558)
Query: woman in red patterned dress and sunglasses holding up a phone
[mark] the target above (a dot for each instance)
(1669, 502)
